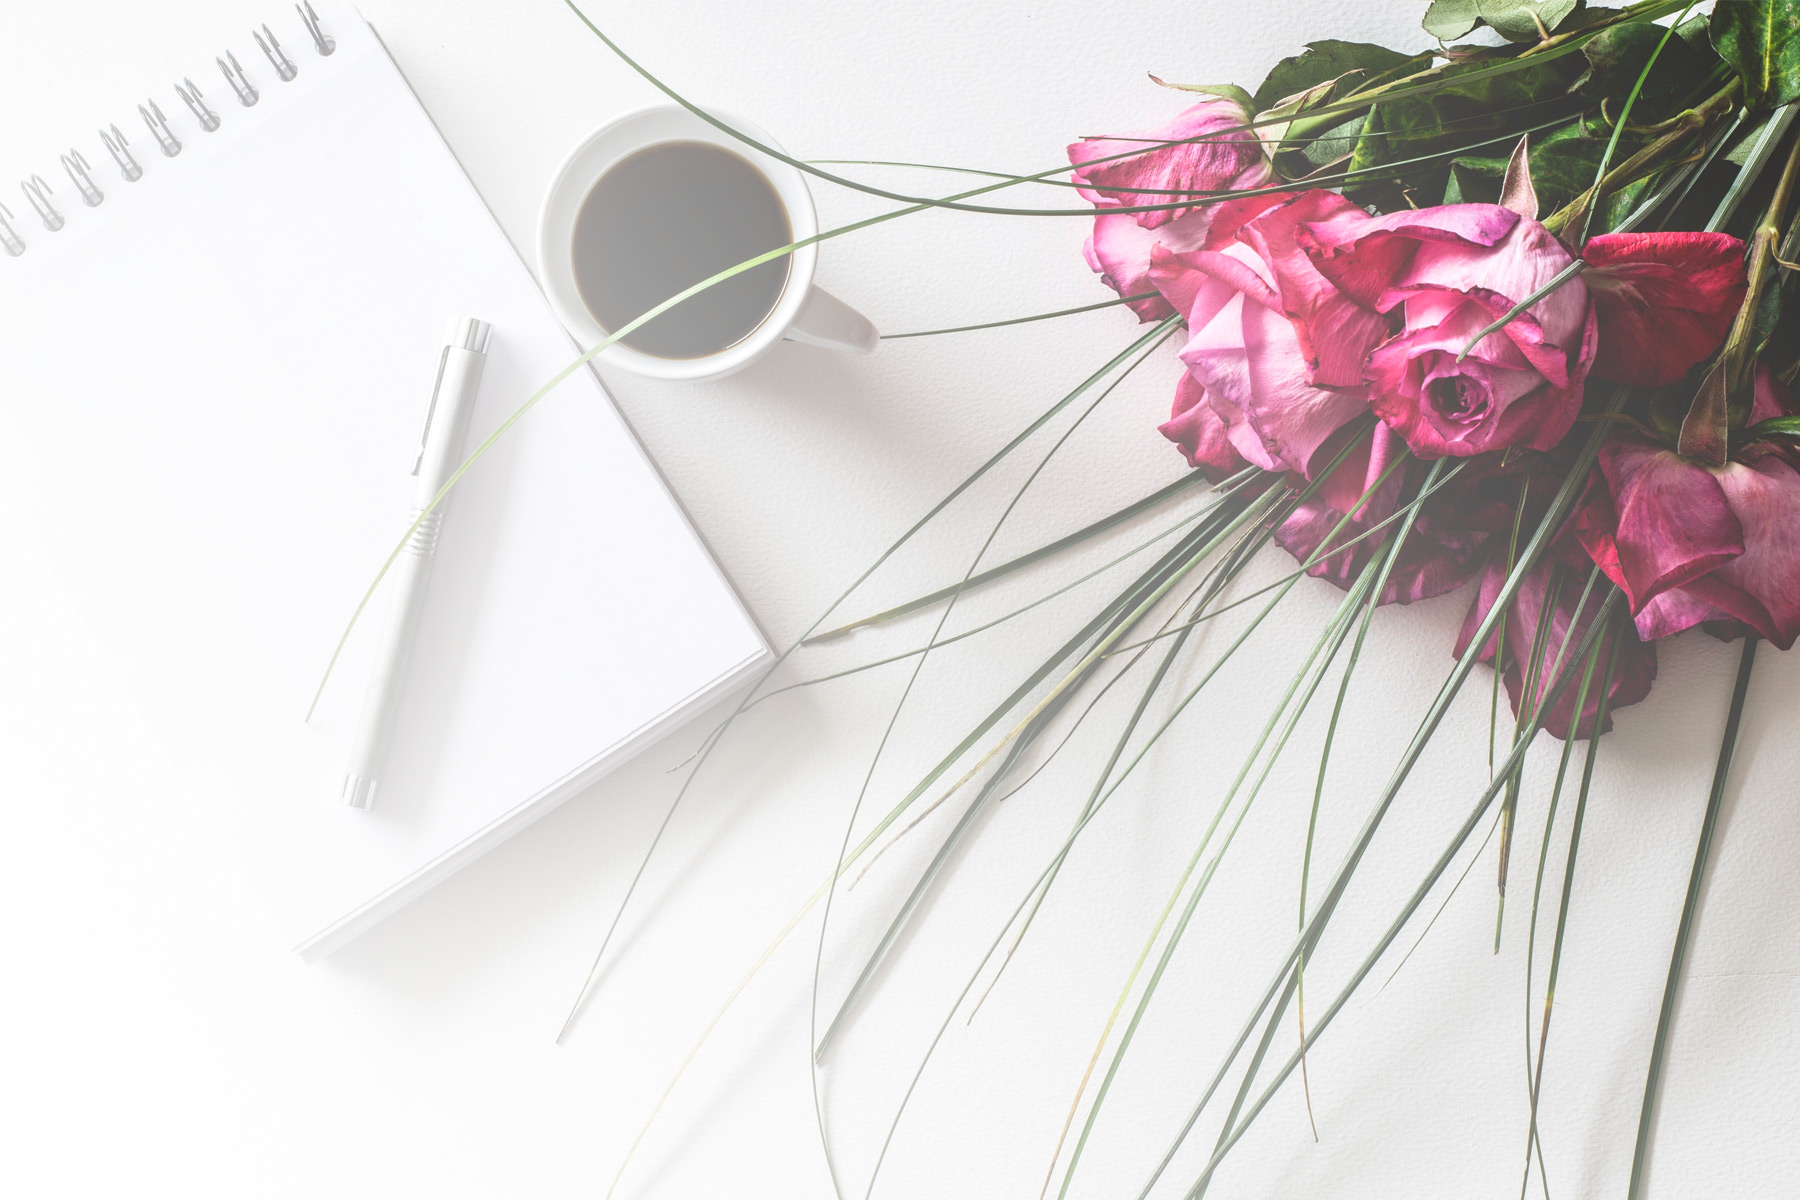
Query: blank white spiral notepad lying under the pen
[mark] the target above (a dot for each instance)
(222, 314)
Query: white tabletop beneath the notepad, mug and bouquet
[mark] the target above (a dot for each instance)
(157, 1041)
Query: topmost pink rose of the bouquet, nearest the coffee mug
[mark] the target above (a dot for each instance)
(1225, 157)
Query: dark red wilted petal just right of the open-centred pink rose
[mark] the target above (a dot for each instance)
(1666, 301)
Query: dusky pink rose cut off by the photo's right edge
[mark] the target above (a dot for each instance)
(1698, 546)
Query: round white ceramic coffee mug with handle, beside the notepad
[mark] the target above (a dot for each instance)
(802, 314)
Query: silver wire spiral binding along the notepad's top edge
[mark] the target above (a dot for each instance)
(39, 193)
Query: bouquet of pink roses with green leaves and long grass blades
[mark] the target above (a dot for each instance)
(1502, 316)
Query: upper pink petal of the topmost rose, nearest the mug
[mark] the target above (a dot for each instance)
(1207, 148)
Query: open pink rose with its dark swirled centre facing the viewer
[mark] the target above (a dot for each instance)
(1452, 273)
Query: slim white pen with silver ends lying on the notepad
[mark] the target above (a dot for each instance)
(440, 452)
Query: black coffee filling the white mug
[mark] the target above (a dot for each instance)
(667, 219)
